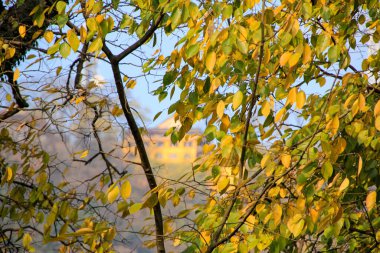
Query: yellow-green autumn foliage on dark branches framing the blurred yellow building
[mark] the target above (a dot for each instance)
(291, 147)
